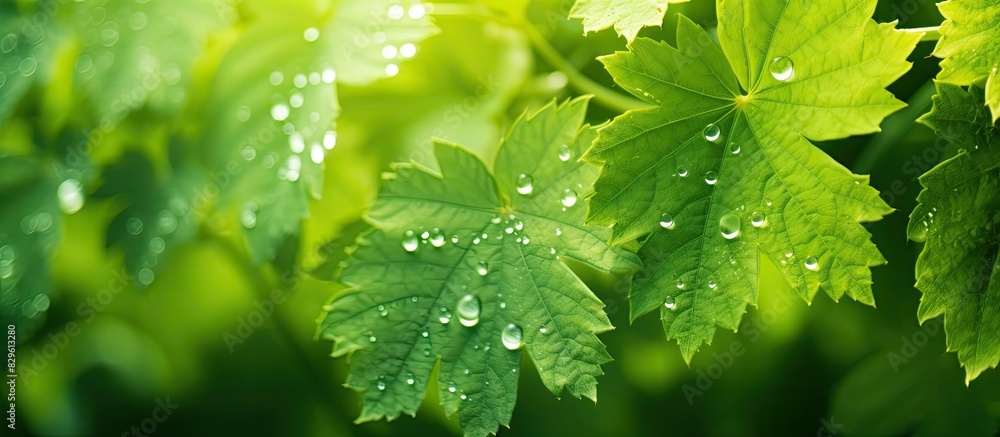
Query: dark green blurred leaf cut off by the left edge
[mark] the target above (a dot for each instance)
(30, 229)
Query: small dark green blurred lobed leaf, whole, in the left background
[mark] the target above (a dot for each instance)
(159, 215)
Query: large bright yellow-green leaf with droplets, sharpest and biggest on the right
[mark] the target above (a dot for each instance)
(729, 175)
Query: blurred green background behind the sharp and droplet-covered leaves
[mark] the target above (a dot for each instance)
(106, 351)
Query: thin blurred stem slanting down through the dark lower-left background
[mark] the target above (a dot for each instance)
(259, 282)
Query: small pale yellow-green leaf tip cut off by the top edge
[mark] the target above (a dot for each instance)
(627, 16)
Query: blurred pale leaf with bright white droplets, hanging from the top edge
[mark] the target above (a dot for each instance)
(274, 105)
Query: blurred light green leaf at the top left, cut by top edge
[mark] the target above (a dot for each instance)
(139, 53)
